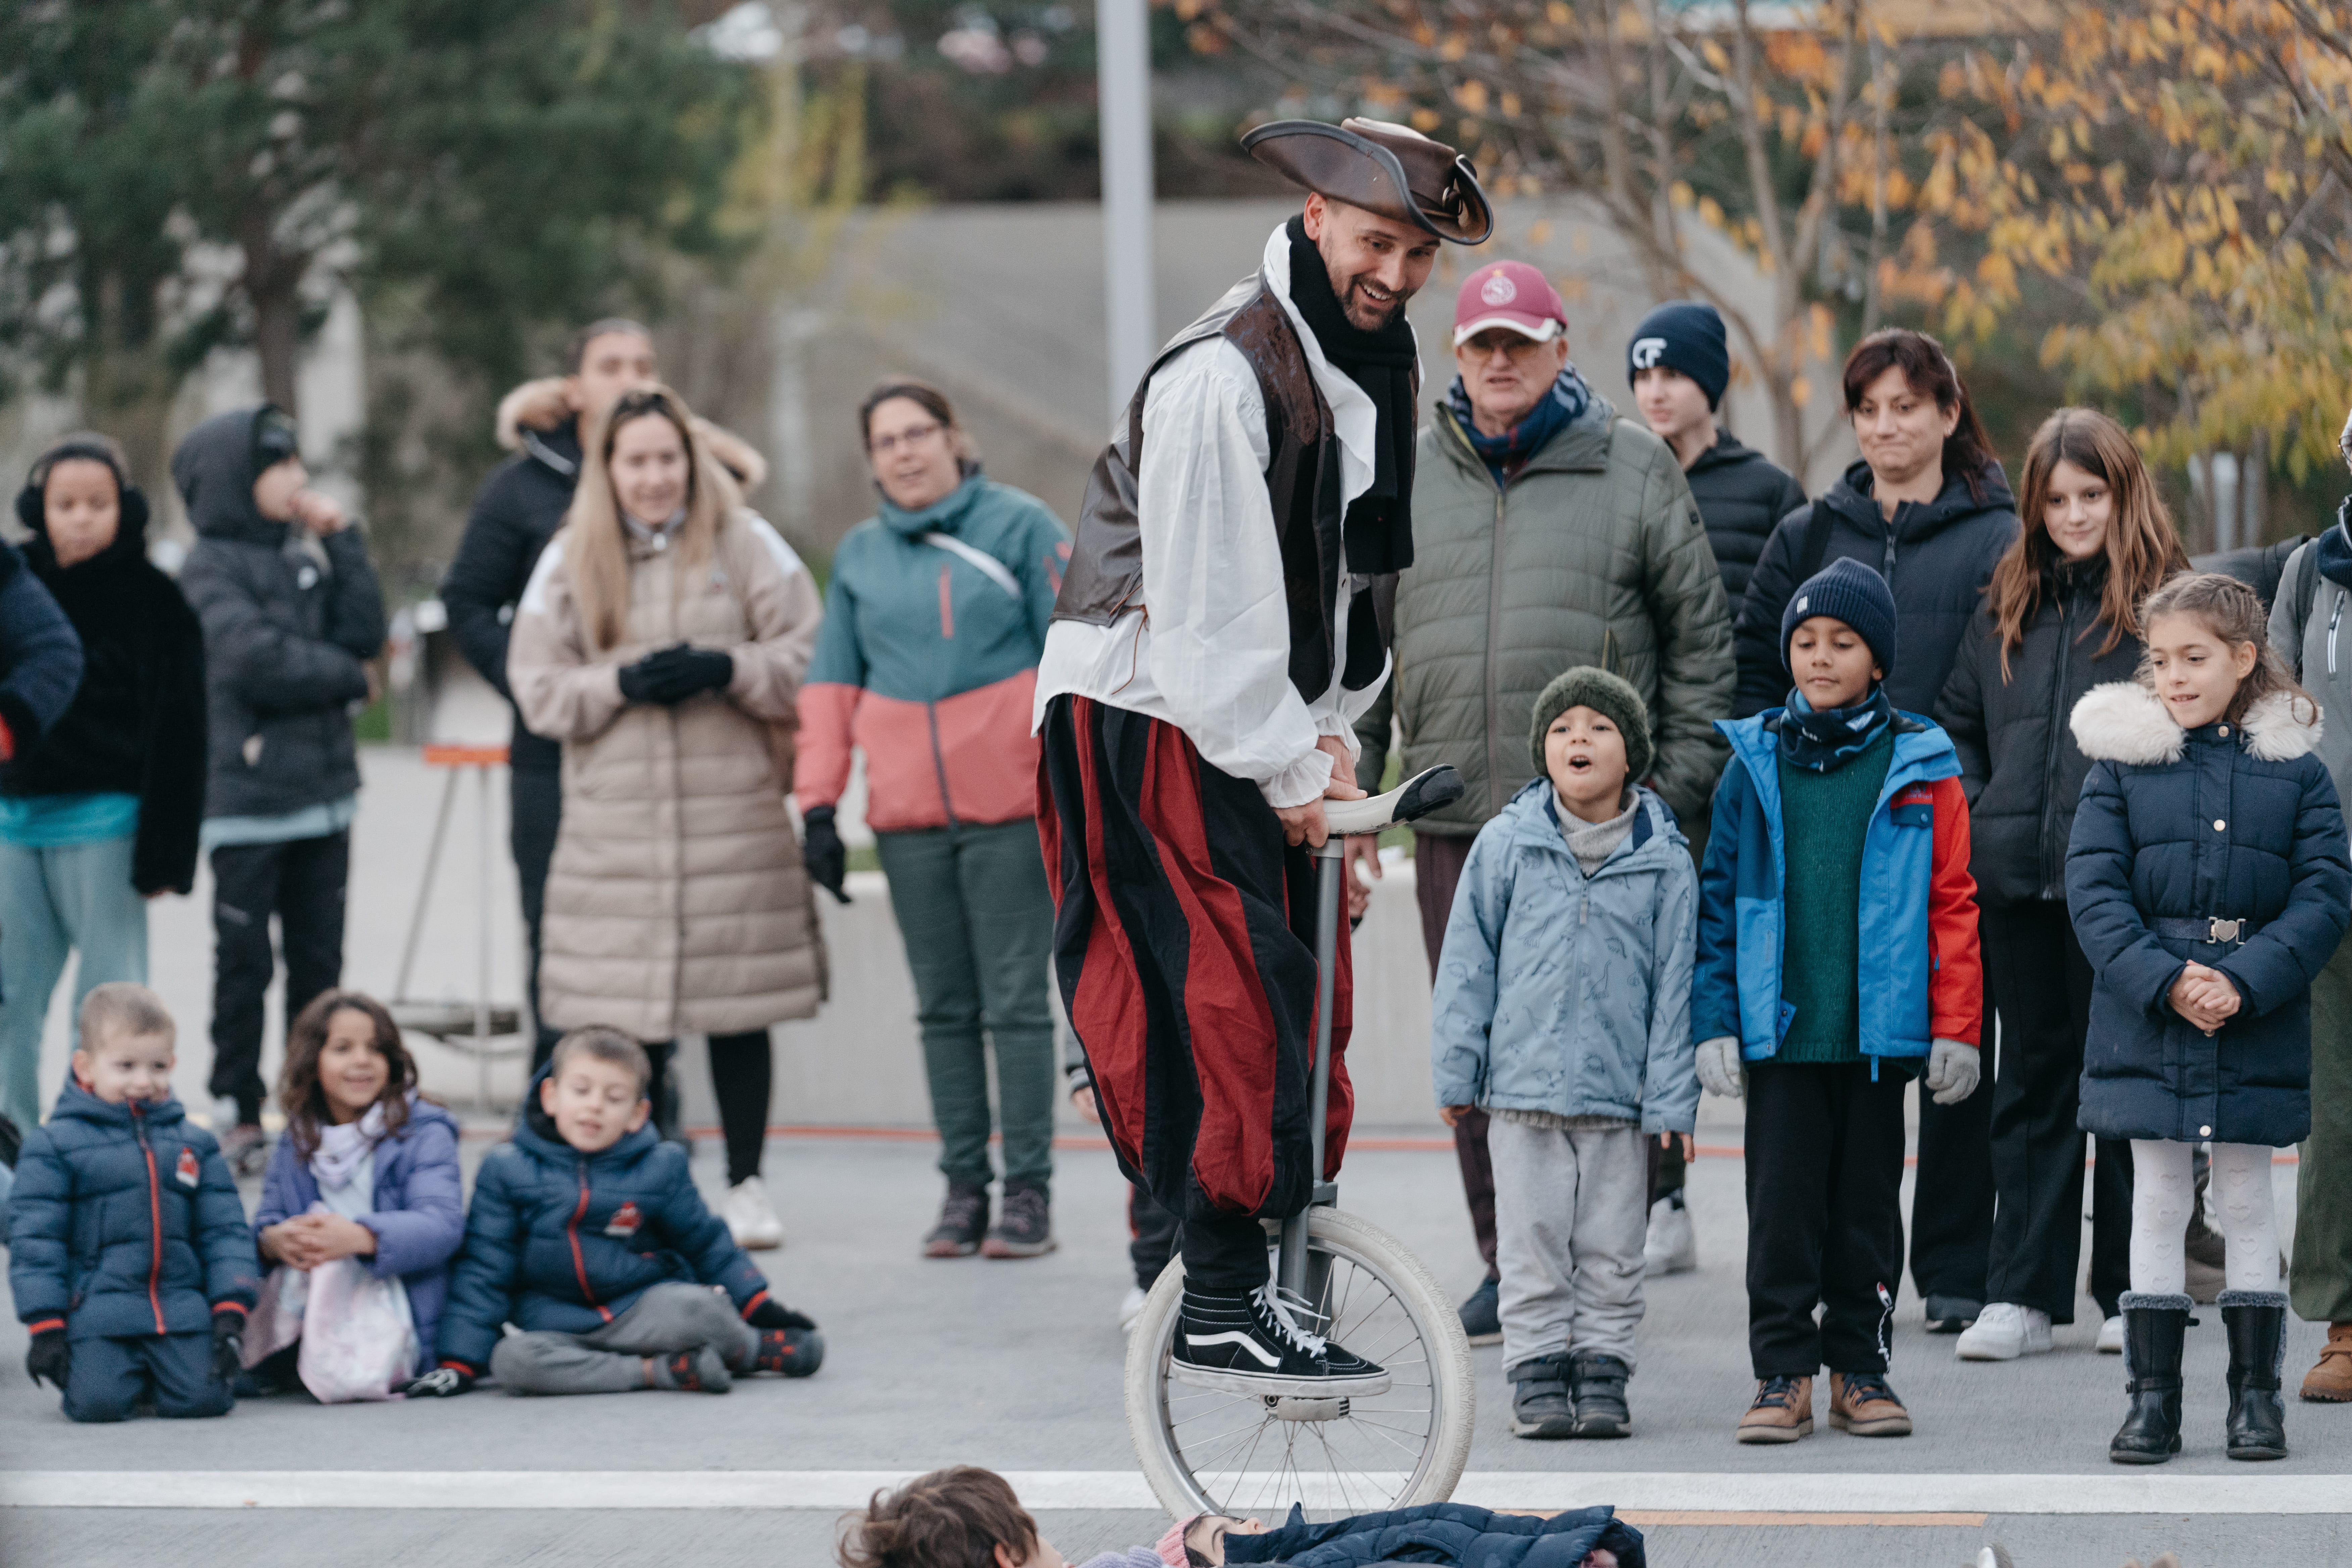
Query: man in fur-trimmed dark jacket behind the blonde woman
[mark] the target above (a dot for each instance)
(514, 516)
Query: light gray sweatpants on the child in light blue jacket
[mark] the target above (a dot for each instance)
(1570, 1219)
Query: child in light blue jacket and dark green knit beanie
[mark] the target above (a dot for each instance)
(1565, 1012)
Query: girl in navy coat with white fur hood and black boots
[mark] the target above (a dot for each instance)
(2207, 883)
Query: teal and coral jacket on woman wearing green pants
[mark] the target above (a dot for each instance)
(928, 659)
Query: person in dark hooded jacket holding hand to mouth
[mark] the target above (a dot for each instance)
(293, 615)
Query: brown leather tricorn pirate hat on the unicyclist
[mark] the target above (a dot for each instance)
(1384, 168)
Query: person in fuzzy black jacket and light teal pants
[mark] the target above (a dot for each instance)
(100, 812)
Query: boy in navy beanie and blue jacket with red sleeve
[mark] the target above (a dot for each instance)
(1869, 869)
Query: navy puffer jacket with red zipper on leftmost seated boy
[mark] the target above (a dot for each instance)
(126, 1224)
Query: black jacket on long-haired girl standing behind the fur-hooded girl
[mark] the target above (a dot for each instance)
(2019, 763)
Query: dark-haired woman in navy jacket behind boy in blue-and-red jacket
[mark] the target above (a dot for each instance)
(1932, 514)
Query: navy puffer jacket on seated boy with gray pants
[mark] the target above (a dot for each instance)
(570, 1242)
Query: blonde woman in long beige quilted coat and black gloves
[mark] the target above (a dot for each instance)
(662, 641)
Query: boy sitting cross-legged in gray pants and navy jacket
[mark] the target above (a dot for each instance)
(587, 1233)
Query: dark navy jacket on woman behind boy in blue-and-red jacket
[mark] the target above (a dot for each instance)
(1935, 558)
